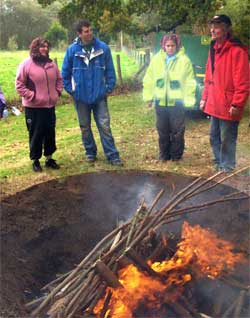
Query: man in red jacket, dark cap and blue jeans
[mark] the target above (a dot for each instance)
(226, 91)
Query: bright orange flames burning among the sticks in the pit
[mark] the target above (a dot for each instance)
(200, 254)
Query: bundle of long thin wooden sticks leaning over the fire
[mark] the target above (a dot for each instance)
(77, 292)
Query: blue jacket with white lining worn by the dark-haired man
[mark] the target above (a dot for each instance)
(88, 77)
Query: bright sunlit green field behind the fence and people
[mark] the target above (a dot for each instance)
(9, 61)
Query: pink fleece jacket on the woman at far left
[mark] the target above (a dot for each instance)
(40, 86)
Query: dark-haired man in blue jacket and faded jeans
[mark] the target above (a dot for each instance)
(89, 75)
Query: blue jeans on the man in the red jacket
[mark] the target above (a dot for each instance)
(223, 137)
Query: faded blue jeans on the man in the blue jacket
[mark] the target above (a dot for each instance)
(102, 119)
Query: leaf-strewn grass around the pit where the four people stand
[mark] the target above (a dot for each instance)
(133, 127)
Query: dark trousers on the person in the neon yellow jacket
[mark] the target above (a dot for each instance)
(170, 124)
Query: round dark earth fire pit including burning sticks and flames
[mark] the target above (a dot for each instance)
(166, 246)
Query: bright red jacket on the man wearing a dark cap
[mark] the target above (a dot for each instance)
(227, 83)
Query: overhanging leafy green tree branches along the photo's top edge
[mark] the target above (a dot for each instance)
(142, 16)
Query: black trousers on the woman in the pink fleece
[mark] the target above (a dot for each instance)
(41, 123)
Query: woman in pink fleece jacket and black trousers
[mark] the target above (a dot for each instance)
(39, 83)
